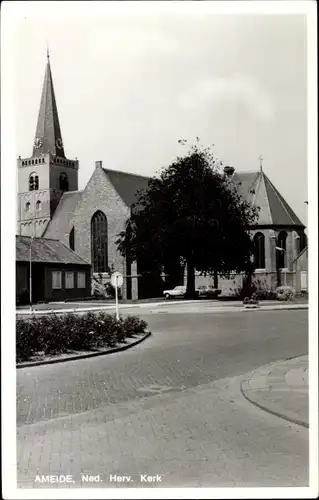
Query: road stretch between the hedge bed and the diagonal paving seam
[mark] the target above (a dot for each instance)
(185, 350)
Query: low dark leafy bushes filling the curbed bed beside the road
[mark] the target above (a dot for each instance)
(53, 335)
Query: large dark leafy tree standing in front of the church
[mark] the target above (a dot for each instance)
(191, 213)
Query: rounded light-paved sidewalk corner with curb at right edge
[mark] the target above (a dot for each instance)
(281, 388)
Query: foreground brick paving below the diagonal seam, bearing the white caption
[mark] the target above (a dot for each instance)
(205, 436)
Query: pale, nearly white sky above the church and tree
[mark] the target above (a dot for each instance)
(130, 82)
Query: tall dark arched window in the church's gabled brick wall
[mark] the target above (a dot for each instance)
(99, 242)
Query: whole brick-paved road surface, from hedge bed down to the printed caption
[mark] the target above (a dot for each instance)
(170, 406)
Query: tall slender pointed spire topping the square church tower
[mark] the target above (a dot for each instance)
(48, 137)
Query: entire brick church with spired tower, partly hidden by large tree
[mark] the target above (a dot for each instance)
(88, 221)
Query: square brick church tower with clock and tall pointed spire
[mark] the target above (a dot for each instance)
(47, 174)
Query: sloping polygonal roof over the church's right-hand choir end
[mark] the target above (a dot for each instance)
(257, 188)
